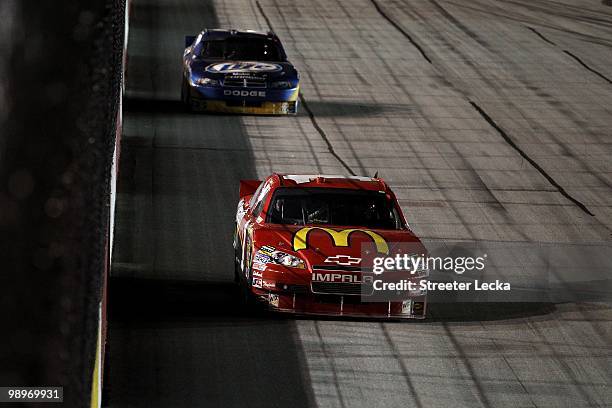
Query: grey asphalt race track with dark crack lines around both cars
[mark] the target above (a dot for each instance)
(491, 120)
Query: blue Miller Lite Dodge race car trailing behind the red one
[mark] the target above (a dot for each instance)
(239, 72)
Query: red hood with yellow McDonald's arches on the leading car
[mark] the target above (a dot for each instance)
(346, 246)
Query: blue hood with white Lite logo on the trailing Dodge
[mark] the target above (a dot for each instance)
(219, 69)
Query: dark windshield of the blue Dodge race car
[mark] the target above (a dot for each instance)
(257, 49)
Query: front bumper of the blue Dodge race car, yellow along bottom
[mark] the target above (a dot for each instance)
(243, 100)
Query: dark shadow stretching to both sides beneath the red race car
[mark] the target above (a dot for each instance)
(177, 301)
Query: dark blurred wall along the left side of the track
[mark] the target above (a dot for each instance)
(60, 70)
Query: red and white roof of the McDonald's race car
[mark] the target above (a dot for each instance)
(332, 181)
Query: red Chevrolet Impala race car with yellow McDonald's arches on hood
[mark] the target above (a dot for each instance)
(305, 244)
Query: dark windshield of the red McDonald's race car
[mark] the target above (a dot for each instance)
(325, 206)
